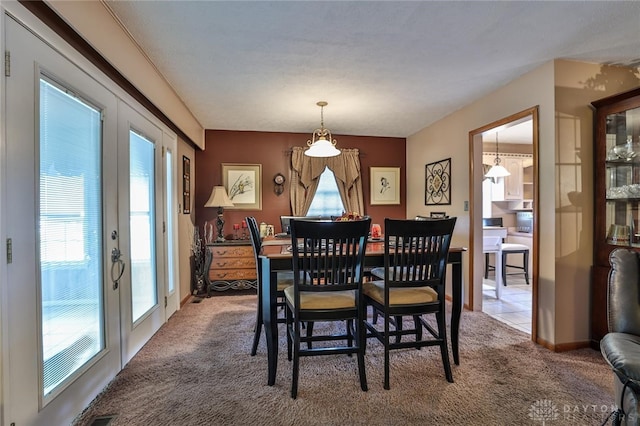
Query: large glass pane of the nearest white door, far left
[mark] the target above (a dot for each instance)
(70, 230)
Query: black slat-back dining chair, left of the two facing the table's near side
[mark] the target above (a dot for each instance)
(328, 265)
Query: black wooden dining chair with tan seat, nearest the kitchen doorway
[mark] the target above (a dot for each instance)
(415, 264)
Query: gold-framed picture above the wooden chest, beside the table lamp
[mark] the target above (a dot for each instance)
(244, 185)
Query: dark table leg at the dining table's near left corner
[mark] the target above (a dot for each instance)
(269, 313)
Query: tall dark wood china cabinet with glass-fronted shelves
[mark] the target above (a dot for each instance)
(617, 193)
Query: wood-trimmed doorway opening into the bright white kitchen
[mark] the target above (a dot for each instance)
(511, 203)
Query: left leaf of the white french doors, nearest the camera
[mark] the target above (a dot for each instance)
(61, 327)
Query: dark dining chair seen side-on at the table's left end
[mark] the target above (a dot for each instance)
(284, 280)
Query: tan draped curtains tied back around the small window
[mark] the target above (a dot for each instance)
(305, 176)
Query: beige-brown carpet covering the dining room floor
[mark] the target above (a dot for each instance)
(197, 371)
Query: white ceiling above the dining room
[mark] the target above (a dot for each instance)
(385, 68)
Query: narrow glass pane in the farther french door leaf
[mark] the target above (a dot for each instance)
(142, 220)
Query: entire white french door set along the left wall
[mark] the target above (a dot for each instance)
(86, 212)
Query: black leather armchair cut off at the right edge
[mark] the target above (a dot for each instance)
(621, 346)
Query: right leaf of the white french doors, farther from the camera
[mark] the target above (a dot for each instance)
(140, 215)
